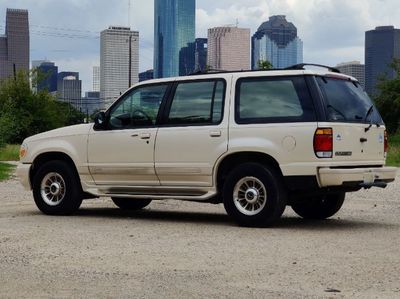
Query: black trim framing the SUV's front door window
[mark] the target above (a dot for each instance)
(168, 84)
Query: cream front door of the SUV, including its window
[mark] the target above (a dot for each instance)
(123, 153)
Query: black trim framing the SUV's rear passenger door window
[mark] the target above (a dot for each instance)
(168, 103)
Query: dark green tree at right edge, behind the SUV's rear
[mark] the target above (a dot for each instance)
(388, 99)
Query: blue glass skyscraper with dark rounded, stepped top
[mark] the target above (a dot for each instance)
(276, 41)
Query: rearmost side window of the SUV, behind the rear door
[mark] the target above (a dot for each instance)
(271, 100)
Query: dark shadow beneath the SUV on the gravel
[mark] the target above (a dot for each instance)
(286, 222)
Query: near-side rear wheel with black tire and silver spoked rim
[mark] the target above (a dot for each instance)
(243, 182)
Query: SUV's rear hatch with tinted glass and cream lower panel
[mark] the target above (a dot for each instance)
(358, 131)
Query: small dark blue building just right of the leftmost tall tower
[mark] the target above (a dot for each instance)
(47, 76)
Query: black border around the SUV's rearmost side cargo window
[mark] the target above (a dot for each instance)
(302, 94)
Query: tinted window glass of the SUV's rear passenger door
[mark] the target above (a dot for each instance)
(197, 103)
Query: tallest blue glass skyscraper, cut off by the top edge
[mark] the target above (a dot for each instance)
(174, 37)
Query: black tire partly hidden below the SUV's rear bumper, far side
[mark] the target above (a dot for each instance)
(319, 207)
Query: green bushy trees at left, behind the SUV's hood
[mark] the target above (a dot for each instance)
(24, 113)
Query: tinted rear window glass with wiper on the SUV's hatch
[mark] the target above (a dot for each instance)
(346, 101)
